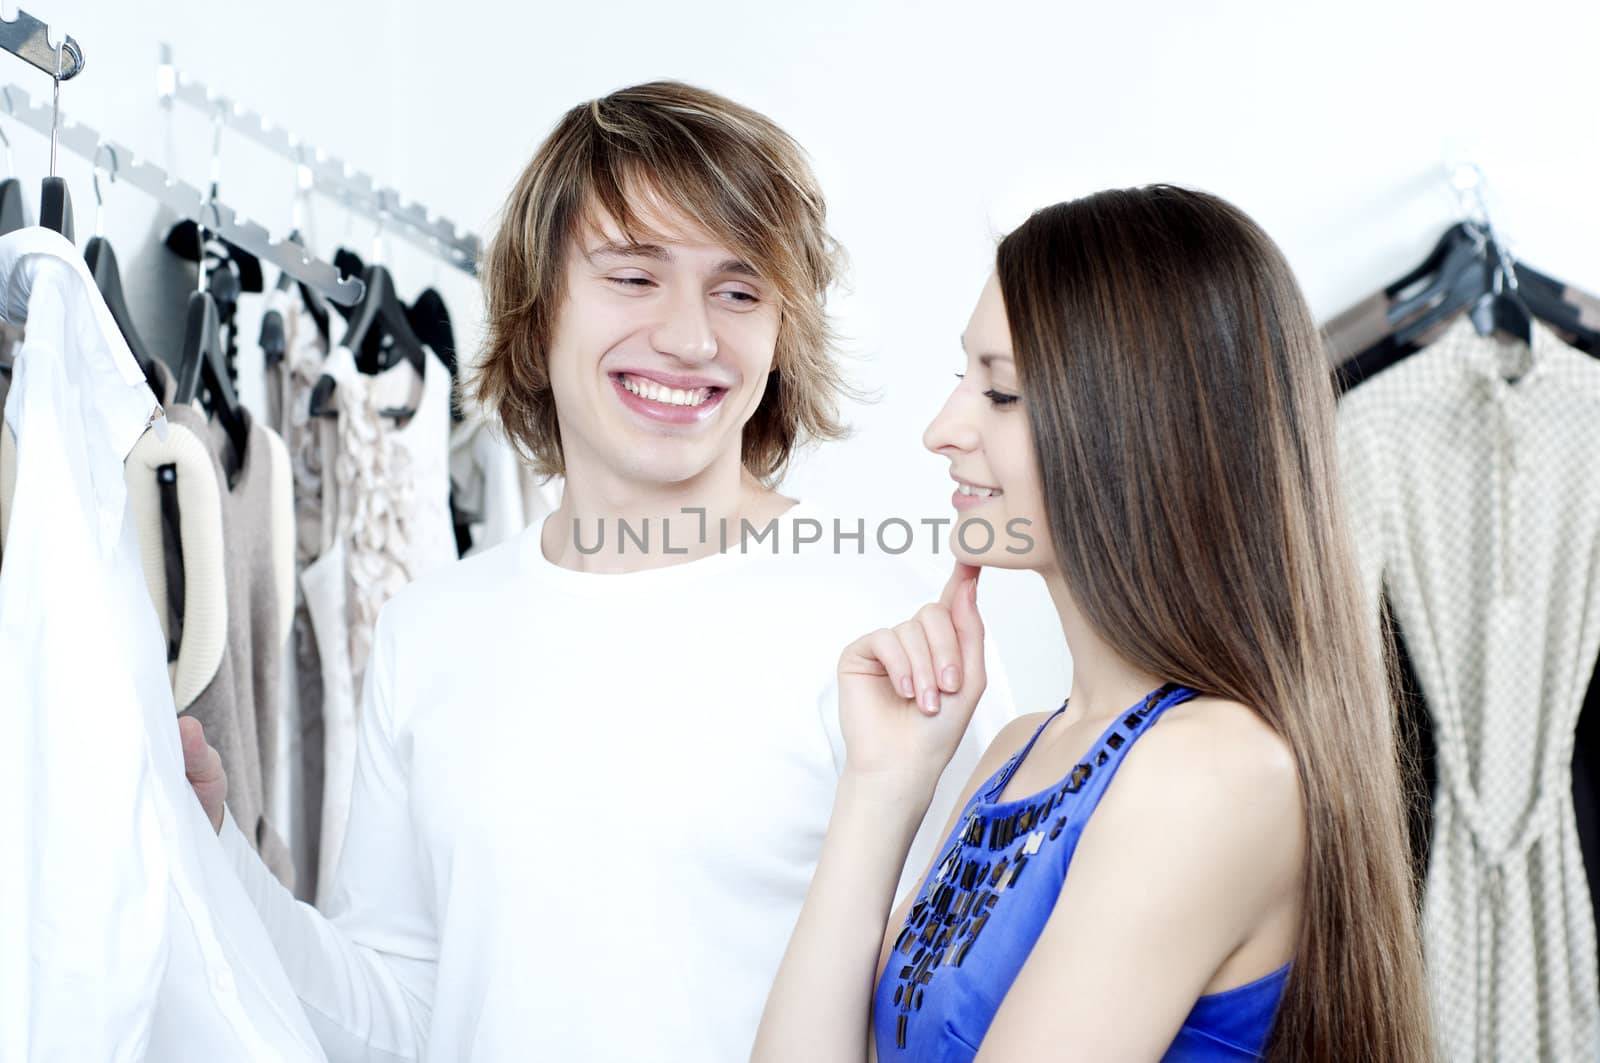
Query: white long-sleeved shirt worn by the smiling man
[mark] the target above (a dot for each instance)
(588, 808)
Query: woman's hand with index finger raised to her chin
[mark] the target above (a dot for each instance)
(908, 692)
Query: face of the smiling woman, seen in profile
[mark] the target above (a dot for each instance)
(983, 431)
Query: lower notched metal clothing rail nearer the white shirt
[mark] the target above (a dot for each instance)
(185, 199)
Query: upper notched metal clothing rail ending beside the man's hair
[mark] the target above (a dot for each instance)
(334, 177)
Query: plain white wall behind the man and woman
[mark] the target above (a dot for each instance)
(935, 127)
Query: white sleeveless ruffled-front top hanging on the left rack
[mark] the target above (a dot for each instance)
(386, 502)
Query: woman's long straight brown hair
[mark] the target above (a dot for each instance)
(1183, 417)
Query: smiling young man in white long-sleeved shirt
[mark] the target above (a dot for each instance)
(598, 763)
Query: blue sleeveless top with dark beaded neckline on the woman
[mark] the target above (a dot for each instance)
(978, 917)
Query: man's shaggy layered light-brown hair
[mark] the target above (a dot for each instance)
(726, 169)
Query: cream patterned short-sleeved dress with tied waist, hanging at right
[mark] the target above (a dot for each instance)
(1476, 505)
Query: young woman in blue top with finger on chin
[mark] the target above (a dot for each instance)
(1201, 856)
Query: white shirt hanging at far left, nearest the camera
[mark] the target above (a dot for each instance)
(124, 934)
